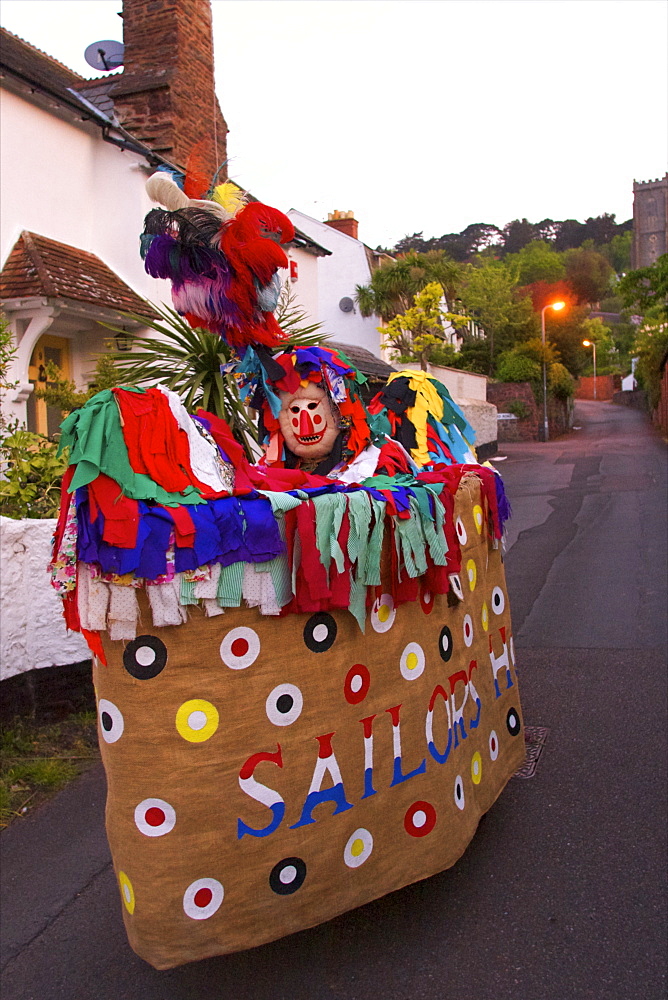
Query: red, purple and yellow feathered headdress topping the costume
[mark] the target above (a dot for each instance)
(221, 255)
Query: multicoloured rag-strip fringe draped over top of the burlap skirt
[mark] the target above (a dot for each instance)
(279, 539)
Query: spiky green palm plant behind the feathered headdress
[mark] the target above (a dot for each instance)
(189, 361)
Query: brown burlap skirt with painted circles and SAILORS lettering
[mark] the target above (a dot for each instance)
(266, 774)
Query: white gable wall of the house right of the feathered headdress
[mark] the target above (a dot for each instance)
(338, 276)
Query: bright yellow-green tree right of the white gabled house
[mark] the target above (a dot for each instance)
(415, 334)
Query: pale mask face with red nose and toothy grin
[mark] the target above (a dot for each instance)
(308, 424)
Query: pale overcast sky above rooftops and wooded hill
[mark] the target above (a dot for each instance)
(422, 115)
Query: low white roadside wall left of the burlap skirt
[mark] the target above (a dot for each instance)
(32, 628)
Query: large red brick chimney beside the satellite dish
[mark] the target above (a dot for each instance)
(165, 95)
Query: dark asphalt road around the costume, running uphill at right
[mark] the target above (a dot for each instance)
(561, 894)
